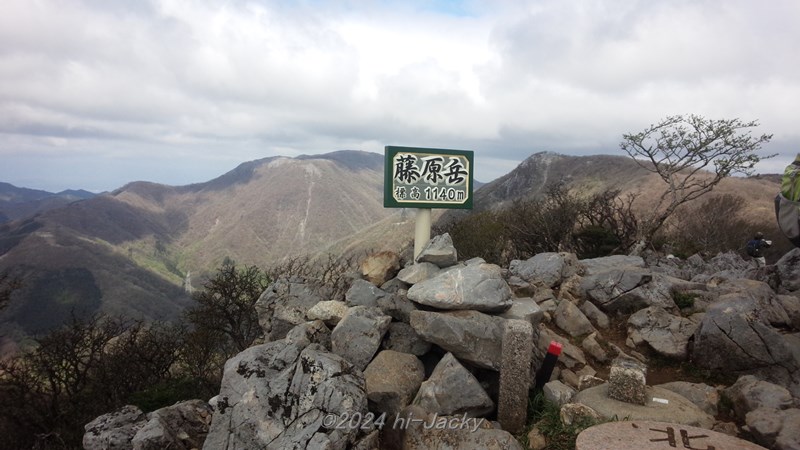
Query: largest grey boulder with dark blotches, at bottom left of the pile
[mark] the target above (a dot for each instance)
(279, 394)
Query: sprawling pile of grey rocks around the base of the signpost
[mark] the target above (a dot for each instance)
(443, 349)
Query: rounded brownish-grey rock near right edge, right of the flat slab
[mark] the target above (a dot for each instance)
(749, 393)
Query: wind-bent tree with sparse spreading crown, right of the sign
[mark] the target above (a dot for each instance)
(681, 150)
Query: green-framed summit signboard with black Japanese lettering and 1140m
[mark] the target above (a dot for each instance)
(427, 178)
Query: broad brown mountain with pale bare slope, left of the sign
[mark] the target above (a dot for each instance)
(130, 251)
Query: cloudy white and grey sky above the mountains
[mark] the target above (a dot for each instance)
(97, 93)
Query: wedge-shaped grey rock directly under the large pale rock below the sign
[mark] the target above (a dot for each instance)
(470, 335)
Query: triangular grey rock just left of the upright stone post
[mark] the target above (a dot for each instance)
(453, 390)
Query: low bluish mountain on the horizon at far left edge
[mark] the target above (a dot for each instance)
(18, 203)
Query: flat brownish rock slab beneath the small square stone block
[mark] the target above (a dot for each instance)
(677, 409)
